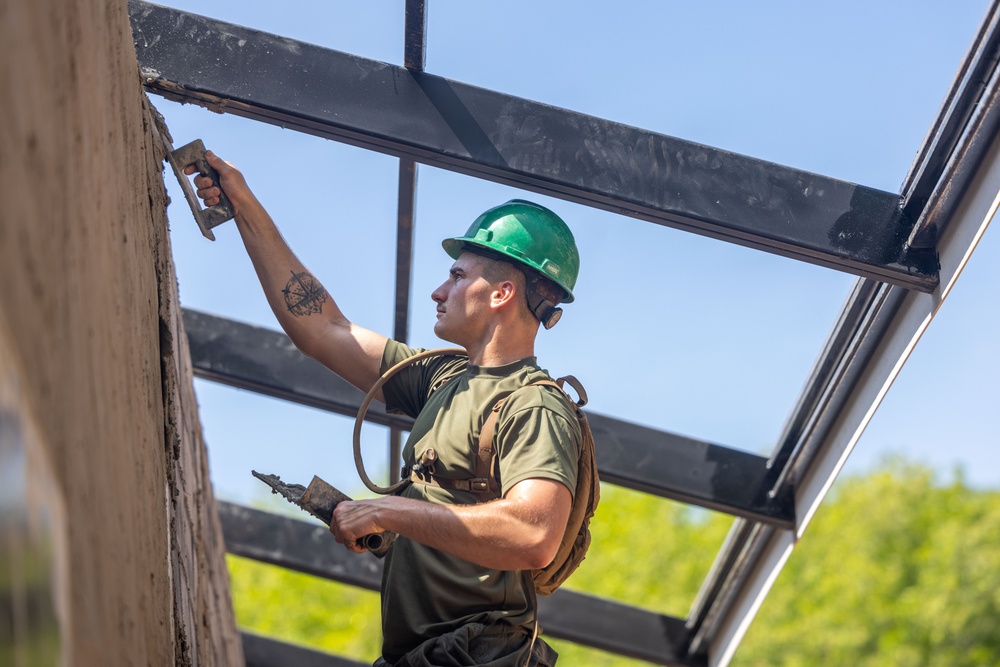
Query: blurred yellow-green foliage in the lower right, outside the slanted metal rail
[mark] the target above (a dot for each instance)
(895, 570)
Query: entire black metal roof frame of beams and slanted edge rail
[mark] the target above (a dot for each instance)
(908, 249)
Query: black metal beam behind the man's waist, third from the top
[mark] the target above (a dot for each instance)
(583, 619)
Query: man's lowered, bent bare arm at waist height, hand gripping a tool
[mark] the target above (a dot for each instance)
(520, 531)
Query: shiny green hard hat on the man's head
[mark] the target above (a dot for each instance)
(528, 234)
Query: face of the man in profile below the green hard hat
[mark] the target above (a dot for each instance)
(463, 302)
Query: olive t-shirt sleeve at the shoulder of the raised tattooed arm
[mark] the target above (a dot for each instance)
(408, 391)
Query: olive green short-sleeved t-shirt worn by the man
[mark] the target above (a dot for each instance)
(426, 592)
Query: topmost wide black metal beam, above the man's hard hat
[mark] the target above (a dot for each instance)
(526, 144)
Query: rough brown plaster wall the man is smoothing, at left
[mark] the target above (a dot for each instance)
(89, 312)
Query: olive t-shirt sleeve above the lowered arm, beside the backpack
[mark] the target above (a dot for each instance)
(539, 441)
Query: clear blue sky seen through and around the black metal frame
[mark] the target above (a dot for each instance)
(669, 329)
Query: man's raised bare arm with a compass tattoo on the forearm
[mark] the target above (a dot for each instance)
(304, 308)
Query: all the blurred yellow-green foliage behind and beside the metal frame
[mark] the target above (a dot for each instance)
(894, 570)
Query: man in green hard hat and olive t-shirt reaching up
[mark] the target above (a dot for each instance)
(454, 590)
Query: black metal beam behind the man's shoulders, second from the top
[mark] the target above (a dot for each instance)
(636, 457)
